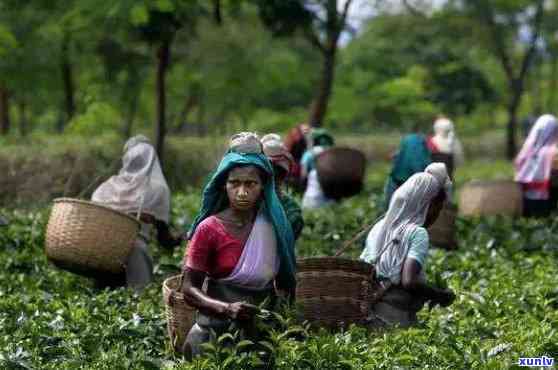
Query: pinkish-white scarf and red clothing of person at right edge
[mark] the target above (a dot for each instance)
(533, 164)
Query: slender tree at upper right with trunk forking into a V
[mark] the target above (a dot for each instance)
(501, 24)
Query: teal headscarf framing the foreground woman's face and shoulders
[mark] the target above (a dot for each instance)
(214, 196)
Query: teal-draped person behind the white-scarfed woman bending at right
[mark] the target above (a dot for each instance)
(413, 157)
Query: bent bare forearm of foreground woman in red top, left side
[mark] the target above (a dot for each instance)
(192, 289)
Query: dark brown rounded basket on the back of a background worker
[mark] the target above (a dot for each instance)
(341, 172)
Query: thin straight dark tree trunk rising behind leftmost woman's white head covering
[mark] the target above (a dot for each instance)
(163, 58)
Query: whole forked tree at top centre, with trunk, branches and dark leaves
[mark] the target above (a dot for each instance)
(322, 23)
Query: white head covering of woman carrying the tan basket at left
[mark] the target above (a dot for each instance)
(140, 184)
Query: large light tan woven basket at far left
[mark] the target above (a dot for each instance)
(89, 239)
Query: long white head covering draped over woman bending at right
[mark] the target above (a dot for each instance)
(407, 211)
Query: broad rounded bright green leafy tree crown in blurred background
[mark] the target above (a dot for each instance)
(406, 67)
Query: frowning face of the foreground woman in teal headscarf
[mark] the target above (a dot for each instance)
(244, 188)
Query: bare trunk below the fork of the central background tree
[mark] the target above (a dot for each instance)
(318, 108)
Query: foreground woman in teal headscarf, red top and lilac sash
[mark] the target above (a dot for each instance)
(241, 247)
